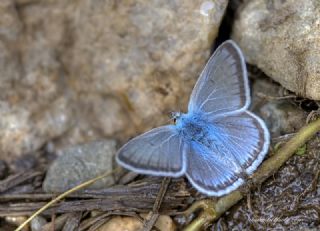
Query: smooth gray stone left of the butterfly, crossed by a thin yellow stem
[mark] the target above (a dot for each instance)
(80, 163)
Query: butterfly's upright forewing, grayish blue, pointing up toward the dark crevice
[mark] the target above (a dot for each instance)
(223, 84)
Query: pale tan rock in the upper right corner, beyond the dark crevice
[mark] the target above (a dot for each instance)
(282, 38)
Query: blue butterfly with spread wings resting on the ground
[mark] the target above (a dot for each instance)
(217, 142)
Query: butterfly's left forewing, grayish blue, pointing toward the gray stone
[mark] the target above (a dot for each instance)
(157, 152)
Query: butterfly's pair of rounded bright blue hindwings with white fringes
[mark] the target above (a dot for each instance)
(240, 142)
